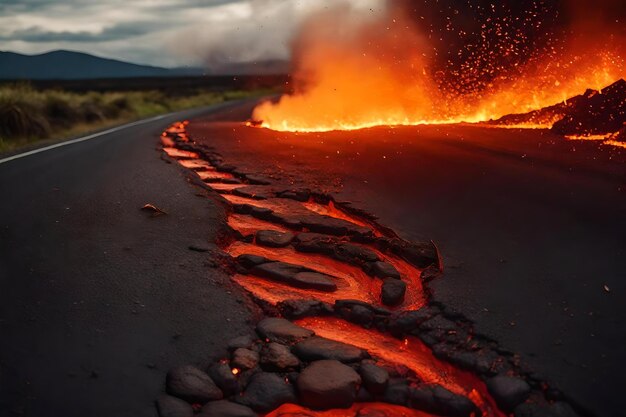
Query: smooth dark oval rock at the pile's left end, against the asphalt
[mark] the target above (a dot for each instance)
(192, 385)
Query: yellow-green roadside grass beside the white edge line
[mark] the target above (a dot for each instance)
(29, 116)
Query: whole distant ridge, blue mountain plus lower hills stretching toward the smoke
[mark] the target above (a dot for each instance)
(69, 65)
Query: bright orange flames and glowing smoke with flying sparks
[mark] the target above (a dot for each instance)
(354, 73)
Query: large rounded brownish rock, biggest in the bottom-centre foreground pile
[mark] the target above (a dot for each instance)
(328, 384)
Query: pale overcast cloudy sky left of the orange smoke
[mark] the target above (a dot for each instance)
(160, 32)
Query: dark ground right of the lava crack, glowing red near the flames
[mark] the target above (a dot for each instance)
(530, 226)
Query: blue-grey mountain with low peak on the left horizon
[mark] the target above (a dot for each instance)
(78, 65)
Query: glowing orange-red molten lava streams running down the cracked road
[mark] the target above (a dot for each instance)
(321, 239)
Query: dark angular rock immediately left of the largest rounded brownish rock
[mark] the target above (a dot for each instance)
(266, 392)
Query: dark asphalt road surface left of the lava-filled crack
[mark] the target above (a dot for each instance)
(98, 299)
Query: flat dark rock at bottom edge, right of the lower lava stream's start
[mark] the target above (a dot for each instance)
(438, 400)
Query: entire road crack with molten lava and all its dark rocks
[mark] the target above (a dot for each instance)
(364, 334)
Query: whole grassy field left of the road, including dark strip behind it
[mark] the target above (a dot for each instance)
(31, 113)
